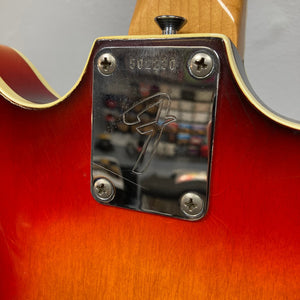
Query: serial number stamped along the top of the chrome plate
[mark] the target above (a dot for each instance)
(152, 64)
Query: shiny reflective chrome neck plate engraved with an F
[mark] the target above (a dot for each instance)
(151, 120)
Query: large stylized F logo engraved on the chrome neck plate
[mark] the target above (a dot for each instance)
(150, 120)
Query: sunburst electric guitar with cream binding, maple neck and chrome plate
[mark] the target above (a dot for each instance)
(185, 185)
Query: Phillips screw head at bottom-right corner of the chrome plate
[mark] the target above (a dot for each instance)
(191, 204)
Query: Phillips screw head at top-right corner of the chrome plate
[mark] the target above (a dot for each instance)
(200, 65)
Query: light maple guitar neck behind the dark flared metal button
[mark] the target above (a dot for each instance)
(226, 17)
